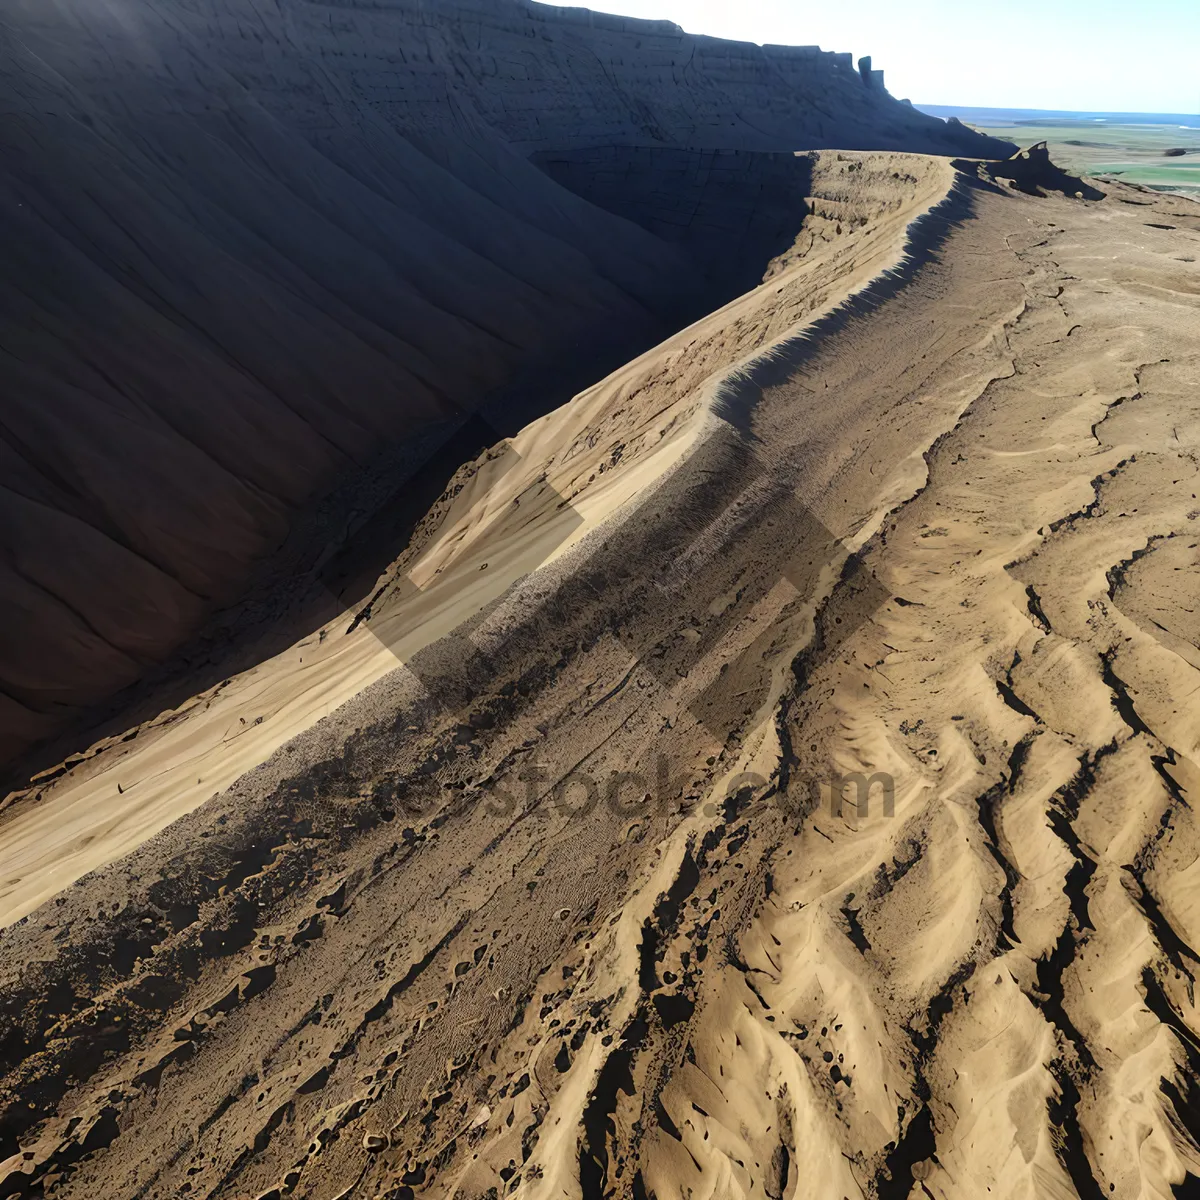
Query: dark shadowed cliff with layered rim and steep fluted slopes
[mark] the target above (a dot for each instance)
(250, 247)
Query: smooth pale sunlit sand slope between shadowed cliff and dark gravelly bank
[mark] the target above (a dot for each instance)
(506, 512)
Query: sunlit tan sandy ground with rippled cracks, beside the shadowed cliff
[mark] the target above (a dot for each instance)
(566, 904)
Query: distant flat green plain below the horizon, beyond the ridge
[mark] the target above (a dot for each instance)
(1131, 153)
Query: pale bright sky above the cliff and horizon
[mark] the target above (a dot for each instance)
(1139, 56)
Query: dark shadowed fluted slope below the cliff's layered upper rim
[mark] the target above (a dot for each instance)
(208, 326)
